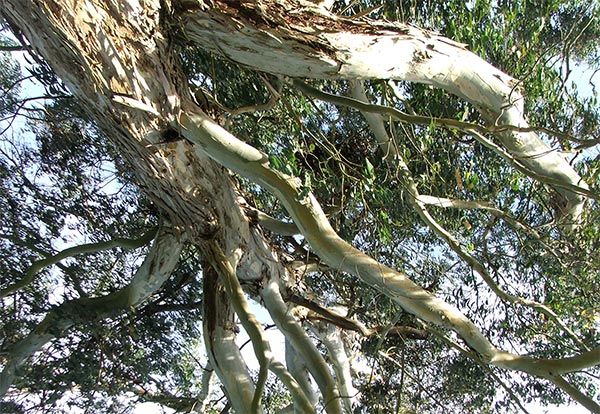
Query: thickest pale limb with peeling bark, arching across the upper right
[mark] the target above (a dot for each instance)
(315, 44)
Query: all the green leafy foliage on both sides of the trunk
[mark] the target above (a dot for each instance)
(62, 182)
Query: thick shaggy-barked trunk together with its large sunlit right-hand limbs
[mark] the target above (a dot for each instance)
(118, 59)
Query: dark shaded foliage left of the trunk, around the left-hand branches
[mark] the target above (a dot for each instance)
(62, 184)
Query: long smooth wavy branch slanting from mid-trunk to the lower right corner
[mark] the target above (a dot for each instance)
(310, 218)
